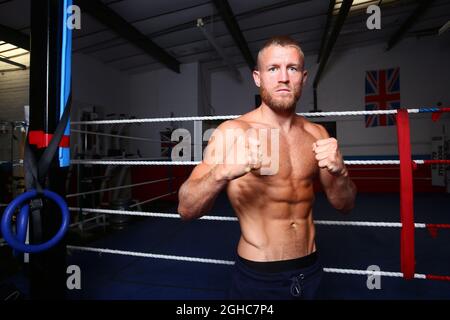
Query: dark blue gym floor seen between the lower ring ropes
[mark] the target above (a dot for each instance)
(107, 276)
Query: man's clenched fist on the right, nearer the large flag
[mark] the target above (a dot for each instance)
(328, 156)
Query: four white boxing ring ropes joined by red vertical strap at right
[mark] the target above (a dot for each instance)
(407, 241)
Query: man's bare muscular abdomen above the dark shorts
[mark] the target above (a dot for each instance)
(274, 226)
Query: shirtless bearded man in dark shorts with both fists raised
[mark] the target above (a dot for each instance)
(277, 256)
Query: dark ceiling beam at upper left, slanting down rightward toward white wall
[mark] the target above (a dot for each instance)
(103, 14)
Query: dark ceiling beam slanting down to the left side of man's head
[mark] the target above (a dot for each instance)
(233, 27)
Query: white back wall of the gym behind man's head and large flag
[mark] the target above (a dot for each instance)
(424, 80)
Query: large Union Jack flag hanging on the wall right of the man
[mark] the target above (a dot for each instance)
(382, 93)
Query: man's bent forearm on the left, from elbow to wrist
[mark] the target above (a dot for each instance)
(196, 197)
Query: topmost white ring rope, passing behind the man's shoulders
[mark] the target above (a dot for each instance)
(201, 118)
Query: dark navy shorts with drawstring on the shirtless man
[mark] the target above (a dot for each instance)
(296, 279)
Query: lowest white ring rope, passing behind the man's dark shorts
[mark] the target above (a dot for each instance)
(229, 262)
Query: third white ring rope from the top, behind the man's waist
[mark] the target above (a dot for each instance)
(227, 218)
